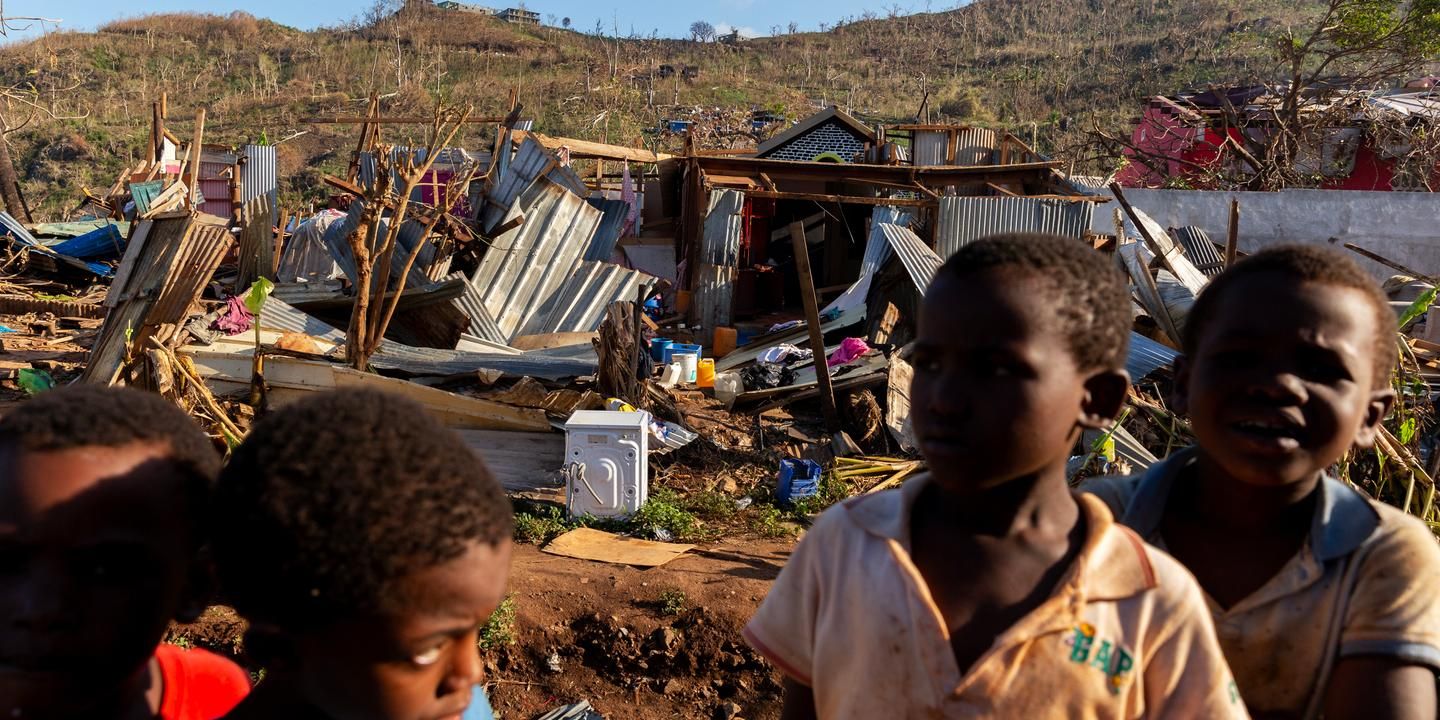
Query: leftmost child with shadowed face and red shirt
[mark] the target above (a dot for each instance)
(104, 496)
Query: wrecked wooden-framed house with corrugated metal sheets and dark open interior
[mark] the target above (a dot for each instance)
(951, 184)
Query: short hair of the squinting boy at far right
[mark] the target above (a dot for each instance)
(1304, 264)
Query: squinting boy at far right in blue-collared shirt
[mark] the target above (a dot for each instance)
(1327, 603)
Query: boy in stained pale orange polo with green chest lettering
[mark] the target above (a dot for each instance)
(987, 588)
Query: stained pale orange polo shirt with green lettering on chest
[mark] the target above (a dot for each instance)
(1125, 634)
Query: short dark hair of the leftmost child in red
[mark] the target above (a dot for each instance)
(103, 417)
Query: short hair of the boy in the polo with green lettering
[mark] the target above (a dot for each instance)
(1092, 305)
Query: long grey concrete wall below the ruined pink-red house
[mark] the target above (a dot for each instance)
(1402, 227)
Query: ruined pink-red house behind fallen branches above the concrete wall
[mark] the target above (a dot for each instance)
(1182, 139)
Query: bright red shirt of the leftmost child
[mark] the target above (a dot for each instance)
(198, 685)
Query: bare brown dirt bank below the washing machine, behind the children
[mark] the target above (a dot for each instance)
(642, 644)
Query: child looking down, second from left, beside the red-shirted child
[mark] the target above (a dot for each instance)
(366, 546)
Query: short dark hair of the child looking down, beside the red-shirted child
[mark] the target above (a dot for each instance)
(333, 499)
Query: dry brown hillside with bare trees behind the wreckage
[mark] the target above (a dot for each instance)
(1048, 68)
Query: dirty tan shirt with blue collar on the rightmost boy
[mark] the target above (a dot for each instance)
(1364, 584)
